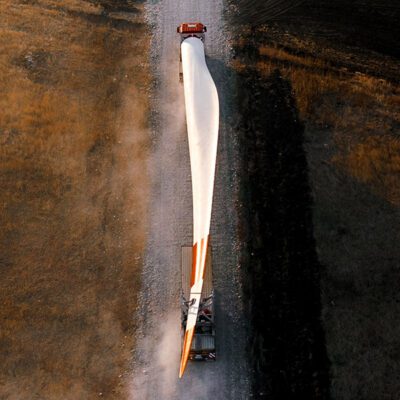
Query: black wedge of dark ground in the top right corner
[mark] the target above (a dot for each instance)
(368, 24)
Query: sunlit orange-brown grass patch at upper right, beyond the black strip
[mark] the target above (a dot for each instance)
(355, 106)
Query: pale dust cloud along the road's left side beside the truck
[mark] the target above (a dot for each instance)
(157, 353)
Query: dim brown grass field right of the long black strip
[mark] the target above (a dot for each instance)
(348, 98)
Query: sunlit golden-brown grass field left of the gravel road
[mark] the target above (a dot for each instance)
(74, 94)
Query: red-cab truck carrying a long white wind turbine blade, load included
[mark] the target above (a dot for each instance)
(202, 120)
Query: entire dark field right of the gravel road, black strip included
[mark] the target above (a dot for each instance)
(318, 99)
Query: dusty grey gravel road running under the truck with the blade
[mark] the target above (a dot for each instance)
(158, 350)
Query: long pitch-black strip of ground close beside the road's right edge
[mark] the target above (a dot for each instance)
(281, 270)
